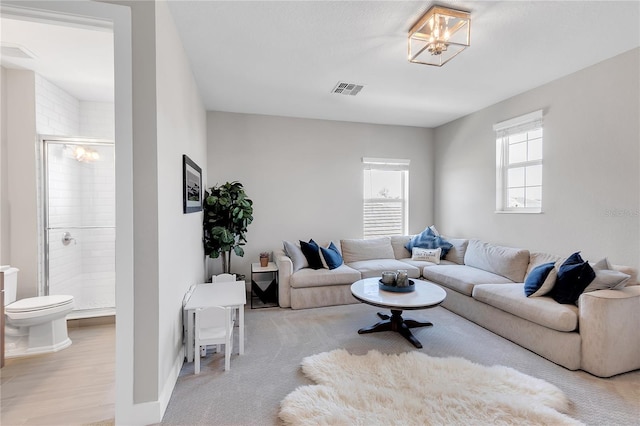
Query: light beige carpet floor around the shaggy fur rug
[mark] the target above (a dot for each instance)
(277, 340)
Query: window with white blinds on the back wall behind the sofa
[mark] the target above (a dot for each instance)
(386, 197)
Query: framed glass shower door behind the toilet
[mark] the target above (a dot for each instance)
(80, 223)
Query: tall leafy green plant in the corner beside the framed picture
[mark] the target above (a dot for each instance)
(227, 213)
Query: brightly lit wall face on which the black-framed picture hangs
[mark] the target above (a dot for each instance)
(181, 121)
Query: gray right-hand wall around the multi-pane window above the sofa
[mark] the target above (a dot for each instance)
(591, 182)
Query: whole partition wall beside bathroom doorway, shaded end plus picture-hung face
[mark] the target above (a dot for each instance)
(169, 120)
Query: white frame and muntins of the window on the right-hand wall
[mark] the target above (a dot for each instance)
(527, 123)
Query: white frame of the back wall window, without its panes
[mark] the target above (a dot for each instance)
(387, 164)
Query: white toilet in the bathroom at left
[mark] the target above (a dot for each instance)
(35, 325)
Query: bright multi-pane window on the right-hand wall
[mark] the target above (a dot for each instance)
(519, 164)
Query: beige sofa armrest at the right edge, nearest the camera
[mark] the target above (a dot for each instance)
(609, 323)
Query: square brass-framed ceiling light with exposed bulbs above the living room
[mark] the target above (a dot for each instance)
(438, 36)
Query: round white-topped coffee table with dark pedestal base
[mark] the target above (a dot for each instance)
(426, 295)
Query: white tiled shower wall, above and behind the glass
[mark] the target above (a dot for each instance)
(80, 194)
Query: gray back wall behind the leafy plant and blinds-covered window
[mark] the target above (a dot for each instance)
(305, 176)
